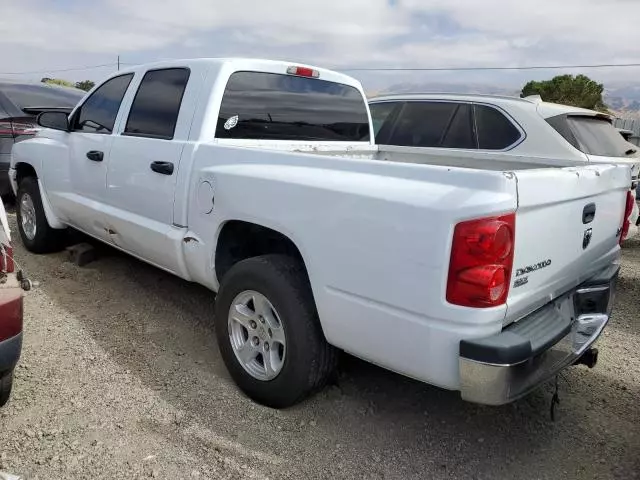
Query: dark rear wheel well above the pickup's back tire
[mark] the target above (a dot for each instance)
(240, 240)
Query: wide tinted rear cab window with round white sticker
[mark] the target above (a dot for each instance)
(267, 106)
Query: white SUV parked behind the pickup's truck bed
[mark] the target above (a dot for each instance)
(525, 128)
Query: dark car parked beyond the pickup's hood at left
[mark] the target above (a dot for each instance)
(20, 103)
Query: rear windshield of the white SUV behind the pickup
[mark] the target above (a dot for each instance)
(596, 136)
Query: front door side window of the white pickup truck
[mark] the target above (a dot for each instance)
(98, 113)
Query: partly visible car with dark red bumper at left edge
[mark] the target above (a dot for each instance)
(10, 311)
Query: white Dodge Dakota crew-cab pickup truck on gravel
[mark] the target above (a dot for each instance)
(261, 181)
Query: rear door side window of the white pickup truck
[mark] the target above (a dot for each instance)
(155, 108)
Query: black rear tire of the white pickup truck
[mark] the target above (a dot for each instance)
(309, 360)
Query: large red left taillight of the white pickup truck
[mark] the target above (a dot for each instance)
(481, 262)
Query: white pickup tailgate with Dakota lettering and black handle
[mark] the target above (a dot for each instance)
(567, 227)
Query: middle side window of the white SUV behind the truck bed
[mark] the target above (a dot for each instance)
(422, 124)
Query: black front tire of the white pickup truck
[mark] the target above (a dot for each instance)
(46, 239)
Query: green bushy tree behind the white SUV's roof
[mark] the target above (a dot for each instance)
(579, 91)
